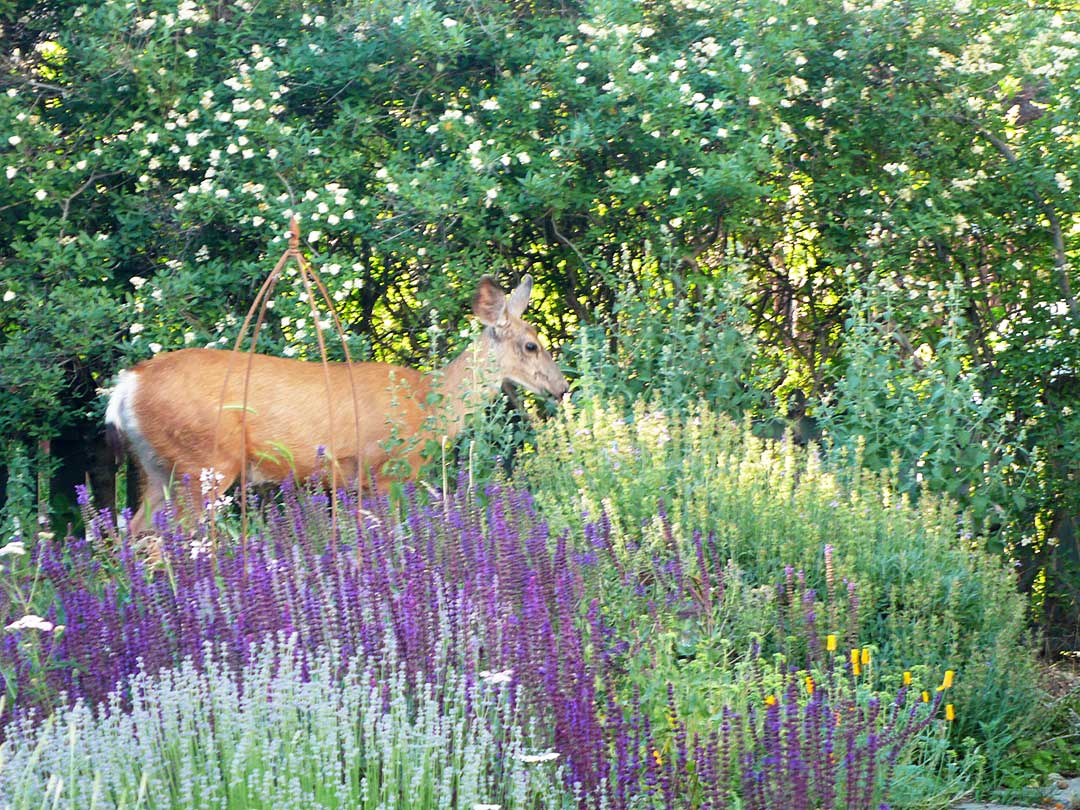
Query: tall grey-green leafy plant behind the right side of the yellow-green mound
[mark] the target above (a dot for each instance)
(927, 415)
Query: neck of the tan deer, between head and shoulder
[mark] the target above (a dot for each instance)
(464, 386)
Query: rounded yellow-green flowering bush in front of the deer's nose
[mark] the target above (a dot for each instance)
(923, 596)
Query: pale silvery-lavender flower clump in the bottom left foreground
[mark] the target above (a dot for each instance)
(289, 728)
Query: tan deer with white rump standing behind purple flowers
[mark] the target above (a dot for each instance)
(188, 414)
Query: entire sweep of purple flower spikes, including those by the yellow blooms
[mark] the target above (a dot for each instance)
(465, 584)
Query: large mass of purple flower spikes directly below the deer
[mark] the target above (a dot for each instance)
(485, 578)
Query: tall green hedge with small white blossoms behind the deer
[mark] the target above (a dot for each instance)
(154, 156)
